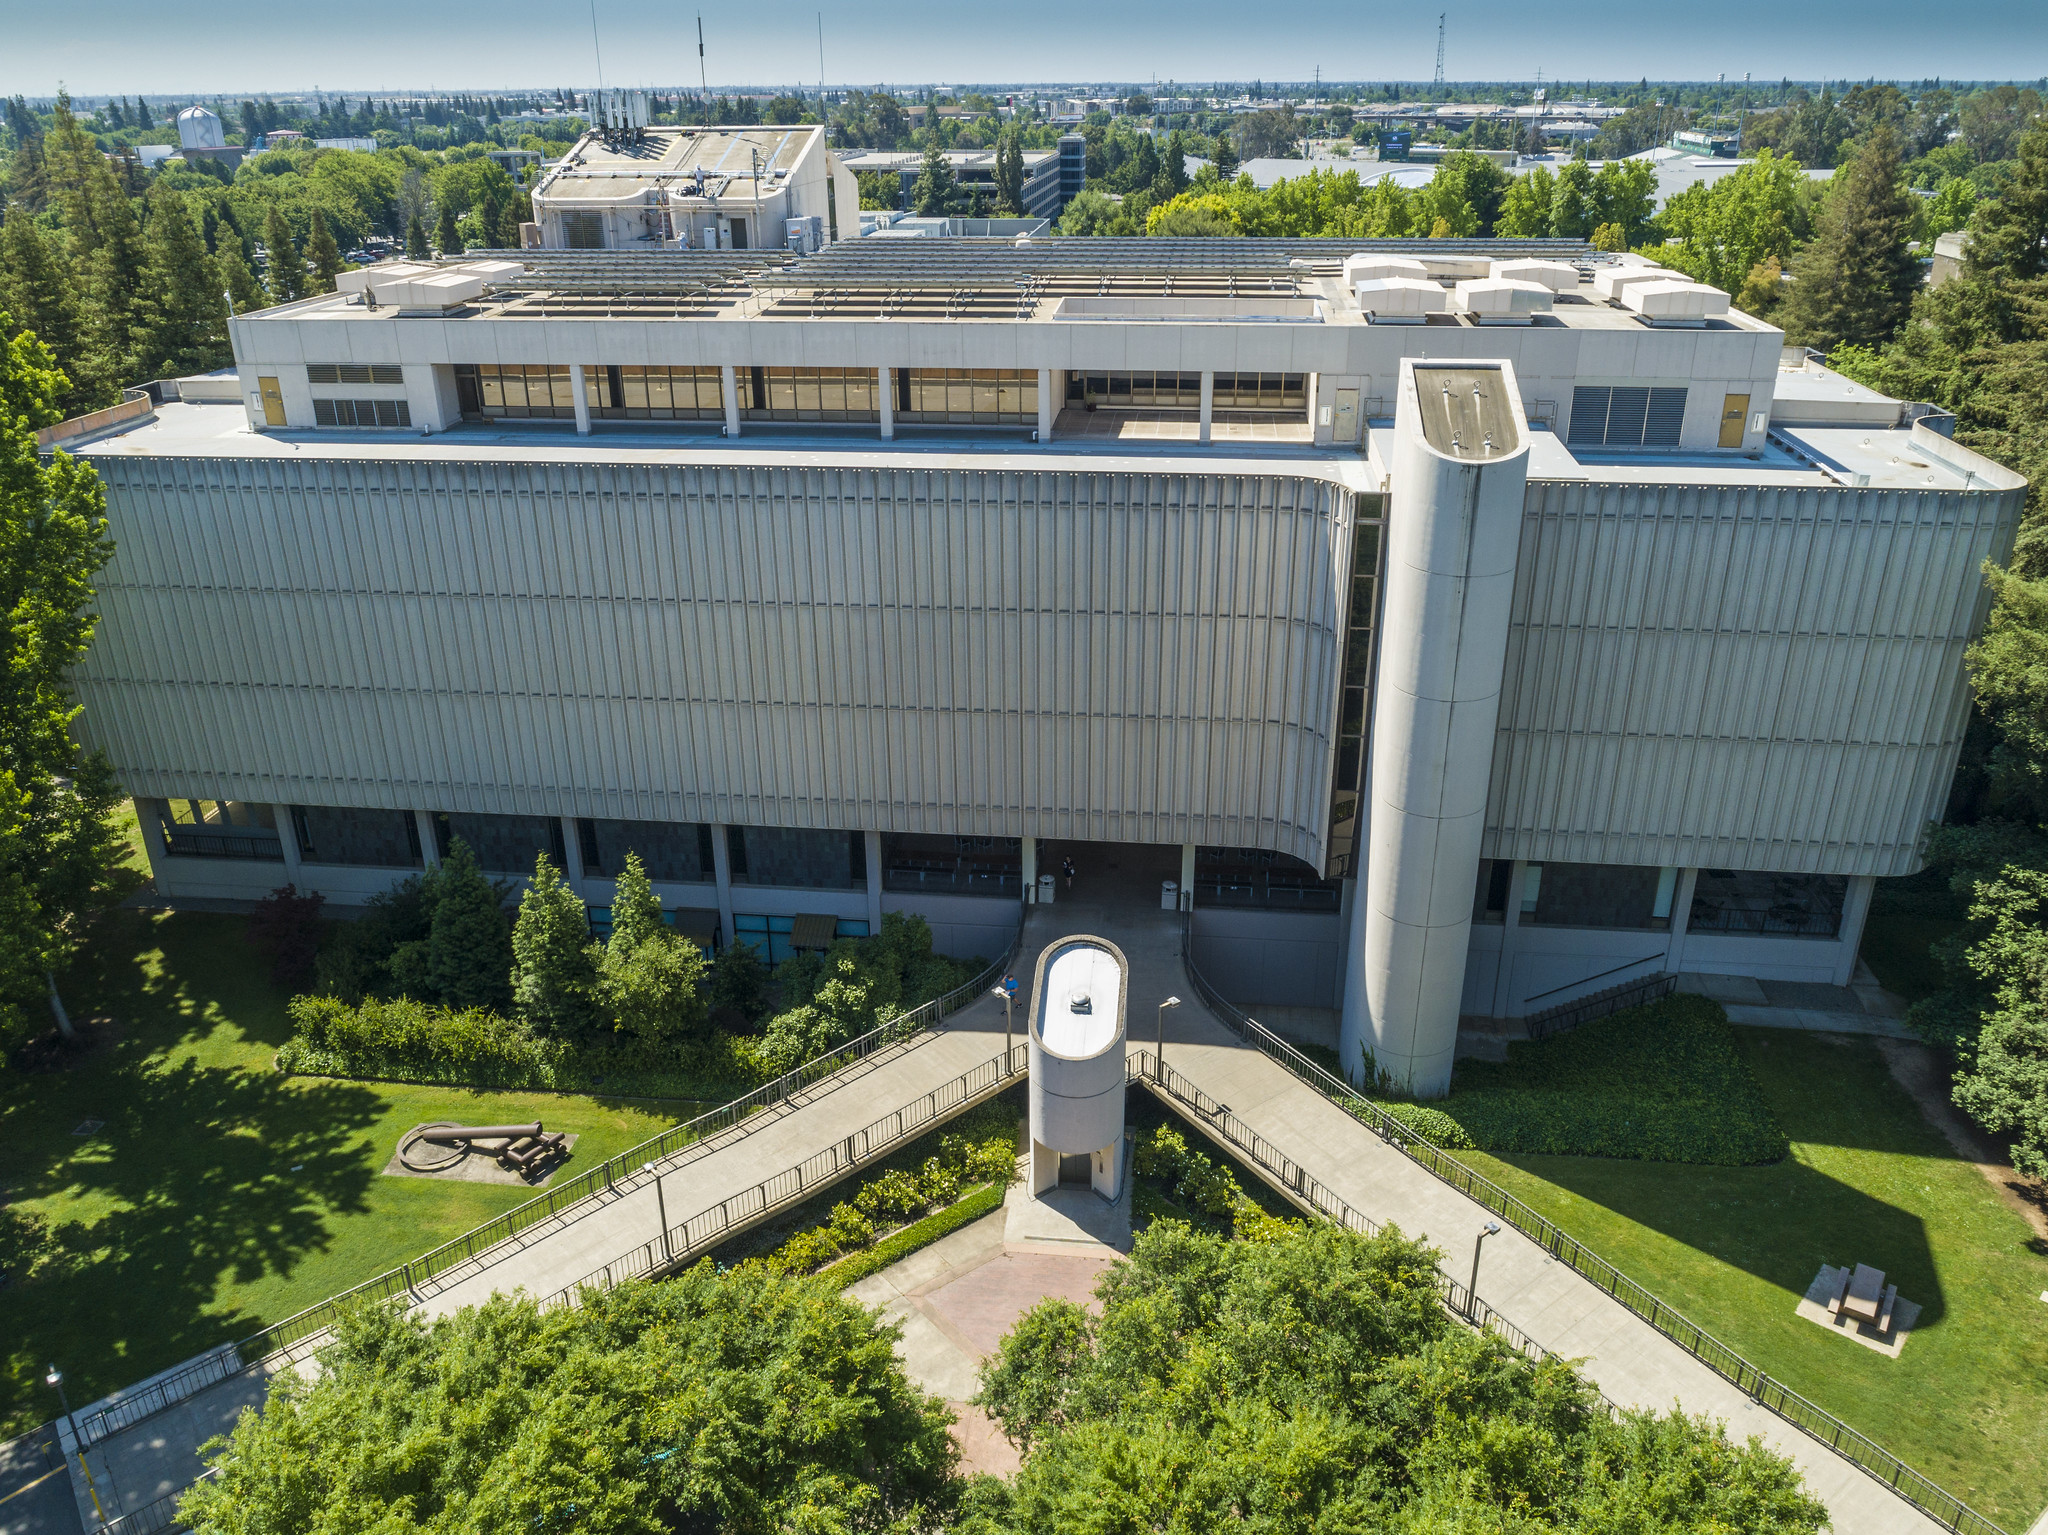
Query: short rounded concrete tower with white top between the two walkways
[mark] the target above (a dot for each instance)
(1078, 1065)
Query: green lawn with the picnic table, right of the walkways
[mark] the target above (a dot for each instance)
(1869, 1182)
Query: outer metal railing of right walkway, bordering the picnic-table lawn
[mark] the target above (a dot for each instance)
(1703, 1346)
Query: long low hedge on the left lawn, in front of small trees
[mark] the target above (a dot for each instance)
(417, 1043)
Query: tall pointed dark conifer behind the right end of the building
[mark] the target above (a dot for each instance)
(1859, 277)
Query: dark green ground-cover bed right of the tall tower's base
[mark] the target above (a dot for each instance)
(1658, 1084)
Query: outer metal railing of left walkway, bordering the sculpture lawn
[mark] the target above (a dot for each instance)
(298, 1335)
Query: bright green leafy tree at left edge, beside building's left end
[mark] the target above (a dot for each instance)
(58, 846)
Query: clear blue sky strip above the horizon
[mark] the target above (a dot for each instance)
(126, 46)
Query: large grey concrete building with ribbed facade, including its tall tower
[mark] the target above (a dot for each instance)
(1463, 625)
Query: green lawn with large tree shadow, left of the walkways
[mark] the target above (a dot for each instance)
(220, 1196)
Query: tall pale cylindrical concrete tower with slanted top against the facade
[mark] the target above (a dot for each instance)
(1453, 527)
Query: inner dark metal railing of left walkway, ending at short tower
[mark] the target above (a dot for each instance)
(703, 1231)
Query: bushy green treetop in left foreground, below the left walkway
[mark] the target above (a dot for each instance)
(740, 1401)
